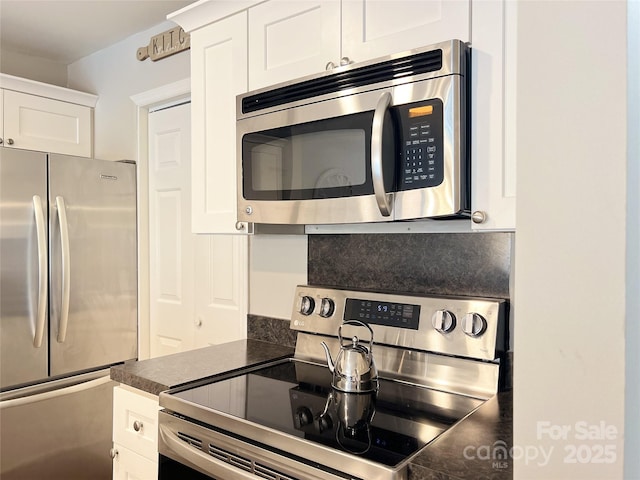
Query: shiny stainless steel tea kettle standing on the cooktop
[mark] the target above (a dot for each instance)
(354, 370)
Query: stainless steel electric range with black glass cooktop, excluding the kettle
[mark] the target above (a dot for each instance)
(438, 359)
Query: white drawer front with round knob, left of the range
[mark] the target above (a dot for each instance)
(135, 422)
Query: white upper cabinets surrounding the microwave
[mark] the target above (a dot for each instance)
(289, 39)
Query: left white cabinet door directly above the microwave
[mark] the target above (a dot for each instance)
(291, 39)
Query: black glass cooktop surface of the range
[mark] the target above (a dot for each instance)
(296, 398)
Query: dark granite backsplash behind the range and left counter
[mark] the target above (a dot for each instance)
(469, 264)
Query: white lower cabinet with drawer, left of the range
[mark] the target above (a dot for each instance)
(135, 434)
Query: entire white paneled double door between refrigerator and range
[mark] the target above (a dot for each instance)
(198, 285)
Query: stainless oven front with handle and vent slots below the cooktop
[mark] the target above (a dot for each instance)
(190, 451)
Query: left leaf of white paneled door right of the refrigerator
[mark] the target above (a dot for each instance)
(171, 244)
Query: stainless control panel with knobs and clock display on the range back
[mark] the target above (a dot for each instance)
(463, 326)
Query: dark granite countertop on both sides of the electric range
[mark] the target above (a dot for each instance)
(469, 450)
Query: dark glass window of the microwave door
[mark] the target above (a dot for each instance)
(325, 159)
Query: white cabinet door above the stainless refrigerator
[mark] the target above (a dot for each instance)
(37, 123)
